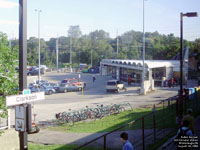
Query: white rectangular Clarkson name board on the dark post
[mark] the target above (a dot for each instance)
(23, 99)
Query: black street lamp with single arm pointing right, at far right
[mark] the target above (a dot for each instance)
(190, 14)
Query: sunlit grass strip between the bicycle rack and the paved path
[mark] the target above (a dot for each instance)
(112, 122)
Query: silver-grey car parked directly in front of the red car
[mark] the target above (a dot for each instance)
(63, 88)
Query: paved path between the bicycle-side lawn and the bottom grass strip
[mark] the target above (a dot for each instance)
(112, 140)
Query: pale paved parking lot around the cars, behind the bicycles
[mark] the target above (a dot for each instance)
(94, 94)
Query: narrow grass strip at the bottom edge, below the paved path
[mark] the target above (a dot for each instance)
(61, 147)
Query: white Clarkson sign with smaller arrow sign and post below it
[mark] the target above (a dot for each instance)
(23, 113)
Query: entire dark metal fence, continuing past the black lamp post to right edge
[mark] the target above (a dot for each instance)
(153, 125)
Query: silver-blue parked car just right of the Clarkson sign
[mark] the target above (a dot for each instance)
(47, 90)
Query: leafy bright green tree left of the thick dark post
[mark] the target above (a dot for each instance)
(8, 75)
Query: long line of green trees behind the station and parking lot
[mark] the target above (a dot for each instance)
(97, 45)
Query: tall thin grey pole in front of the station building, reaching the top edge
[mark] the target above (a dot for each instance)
(143, 55)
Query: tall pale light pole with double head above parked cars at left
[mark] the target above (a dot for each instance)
(39, 11)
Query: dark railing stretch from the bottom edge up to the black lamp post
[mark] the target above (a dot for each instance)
(145, 130)
